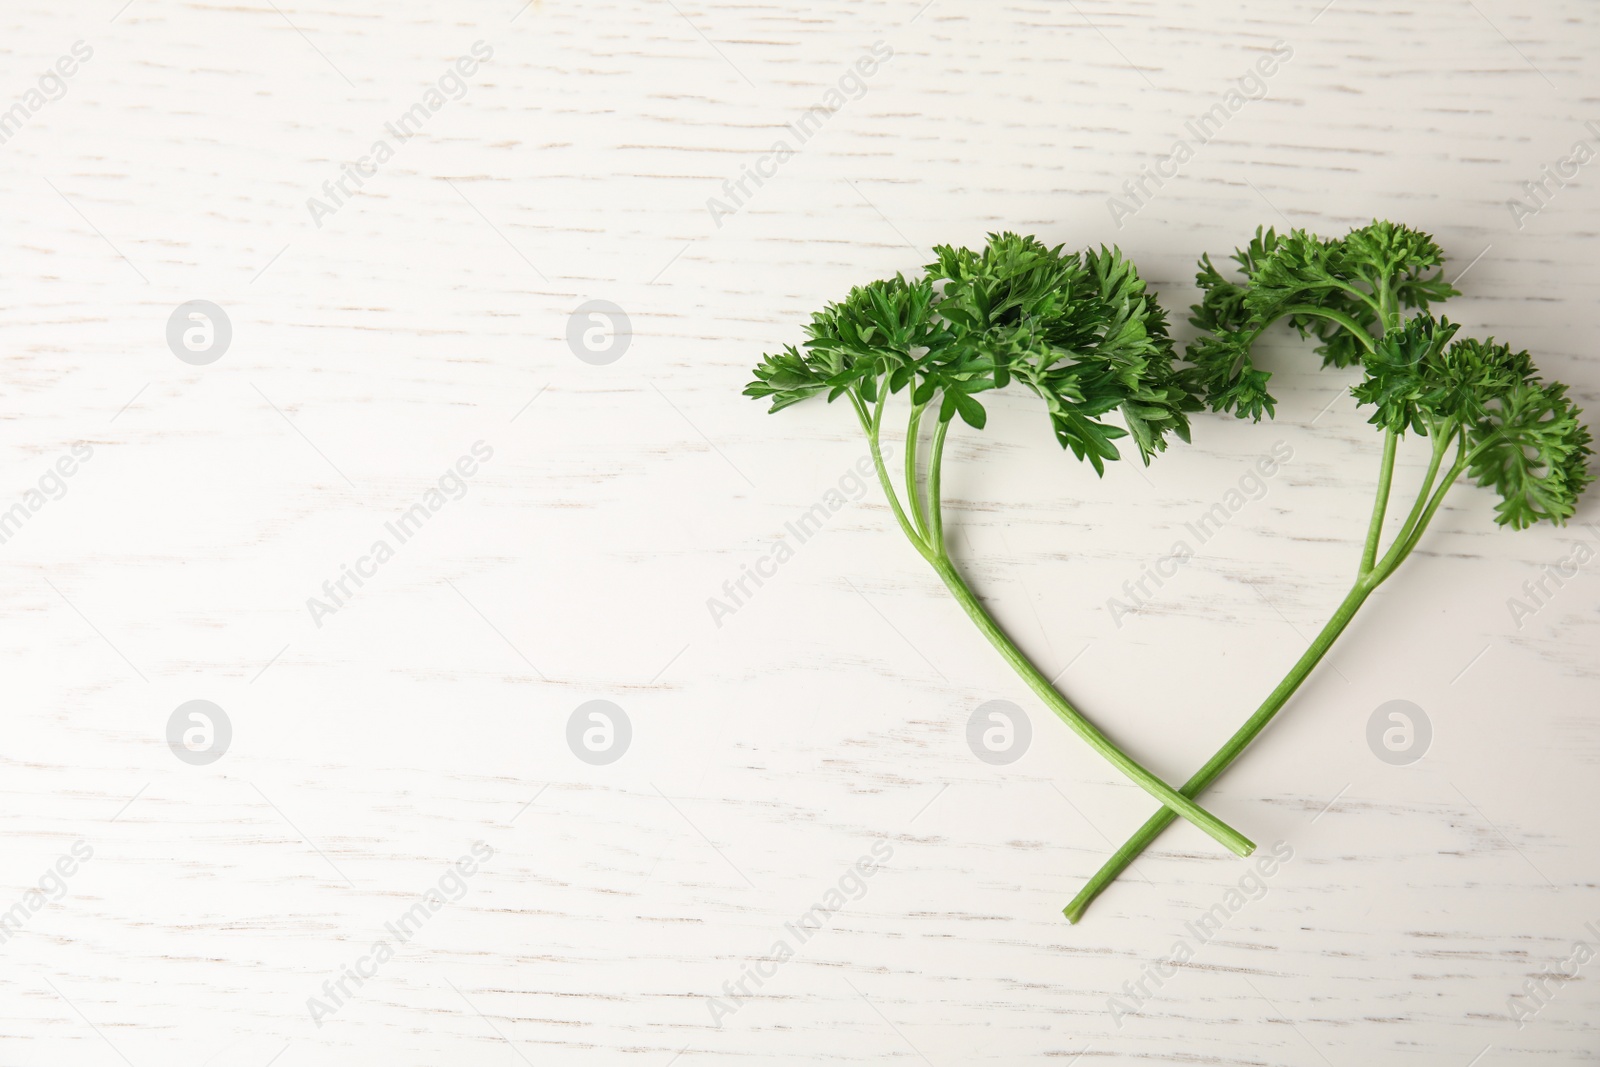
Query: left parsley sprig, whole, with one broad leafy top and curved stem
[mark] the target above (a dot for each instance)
(1079, 330)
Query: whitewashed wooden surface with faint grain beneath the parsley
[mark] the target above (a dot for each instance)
(826, 716)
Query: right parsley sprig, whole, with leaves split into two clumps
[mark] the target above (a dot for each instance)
(1479, 404)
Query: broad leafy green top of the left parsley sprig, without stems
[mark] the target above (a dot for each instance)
(1079, 330)
